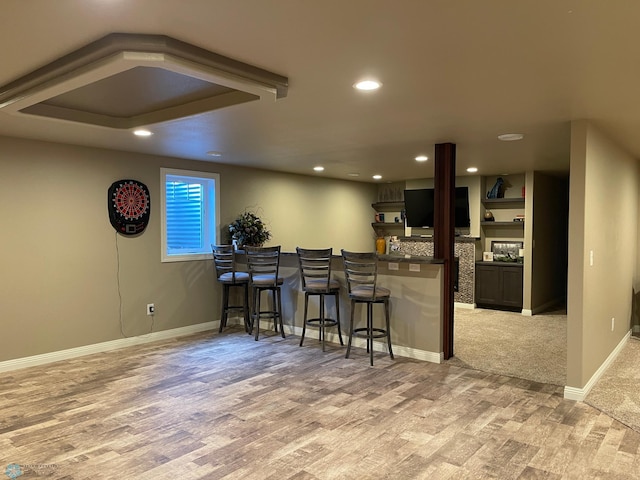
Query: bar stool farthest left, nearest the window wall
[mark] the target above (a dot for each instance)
(224, 257)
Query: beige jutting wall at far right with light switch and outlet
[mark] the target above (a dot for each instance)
(603, 219)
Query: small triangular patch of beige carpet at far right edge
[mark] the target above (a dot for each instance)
(617, 393)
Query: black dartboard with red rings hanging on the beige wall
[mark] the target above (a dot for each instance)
(129, 206)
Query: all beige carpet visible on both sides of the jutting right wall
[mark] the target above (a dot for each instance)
(534, 348)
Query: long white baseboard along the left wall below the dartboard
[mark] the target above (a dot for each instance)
(44, 358)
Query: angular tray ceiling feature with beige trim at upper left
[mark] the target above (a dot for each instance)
(129, 80)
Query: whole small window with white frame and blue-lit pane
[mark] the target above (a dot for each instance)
(190, 214)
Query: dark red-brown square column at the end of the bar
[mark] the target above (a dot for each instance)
(444, 232)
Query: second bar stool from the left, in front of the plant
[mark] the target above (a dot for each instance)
(263, 264)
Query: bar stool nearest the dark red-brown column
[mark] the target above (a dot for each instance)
(361, 271)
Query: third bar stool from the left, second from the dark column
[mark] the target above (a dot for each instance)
(315, 274)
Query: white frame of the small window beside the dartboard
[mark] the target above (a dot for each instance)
(211, 205)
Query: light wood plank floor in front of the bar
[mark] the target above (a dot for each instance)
(224, 406)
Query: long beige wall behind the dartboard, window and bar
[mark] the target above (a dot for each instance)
(68, 280)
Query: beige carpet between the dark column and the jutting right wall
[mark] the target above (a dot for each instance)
(508, 343)
